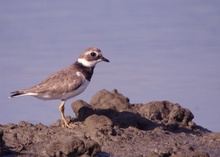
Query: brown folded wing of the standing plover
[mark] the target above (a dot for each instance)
(60, 83)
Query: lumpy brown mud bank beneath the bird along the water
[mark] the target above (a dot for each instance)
(111, 126)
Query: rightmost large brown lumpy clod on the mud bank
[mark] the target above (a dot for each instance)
(164, 112)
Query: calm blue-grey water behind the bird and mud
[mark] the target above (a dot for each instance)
(159, 50)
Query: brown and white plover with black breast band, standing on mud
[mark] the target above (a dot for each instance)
(68, 82)
